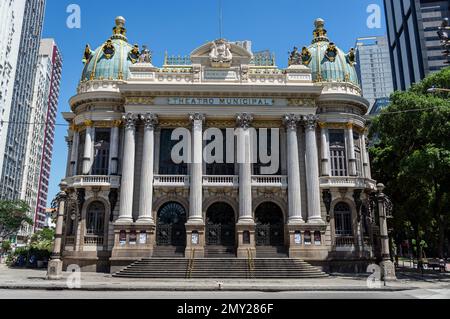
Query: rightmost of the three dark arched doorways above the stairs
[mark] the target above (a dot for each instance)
(269, 225)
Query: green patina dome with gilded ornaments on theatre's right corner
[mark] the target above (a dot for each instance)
(327, 62)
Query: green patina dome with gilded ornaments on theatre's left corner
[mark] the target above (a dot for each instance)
(110, 61)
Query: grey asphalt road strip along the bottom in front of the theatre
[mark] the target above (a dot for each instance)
(73, 294)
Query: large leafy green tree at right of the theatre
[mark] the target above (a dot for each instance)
(412, 156)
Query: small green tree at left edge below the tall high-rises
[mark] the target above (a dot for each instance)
(13, 215)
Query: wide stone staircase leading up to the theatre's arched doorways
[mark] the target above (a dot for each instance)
(221, 268)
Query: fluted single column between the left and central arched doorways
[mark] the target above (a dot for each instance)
(196, 189)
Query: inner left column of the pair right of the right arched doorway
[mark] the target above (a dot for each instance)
(294, 193)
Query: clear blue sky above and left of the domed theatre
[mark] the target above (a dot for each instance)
(180, 26)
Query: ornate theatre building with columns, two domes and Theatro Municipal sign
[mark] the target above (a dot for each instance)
(129, 199)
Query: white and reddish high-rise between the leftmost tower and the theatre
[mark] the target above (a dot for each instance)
(41, 132)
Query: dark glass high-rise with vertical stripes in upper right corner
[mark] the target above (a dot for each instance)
(413, 41)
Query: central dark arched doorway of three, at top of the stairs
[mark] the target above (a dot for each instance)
(220, 225)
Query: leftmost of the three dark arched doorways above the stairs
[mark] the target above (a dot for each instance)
(170, 228)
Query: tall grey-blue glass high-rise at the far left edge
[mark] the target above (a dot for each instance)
(16, 111)
